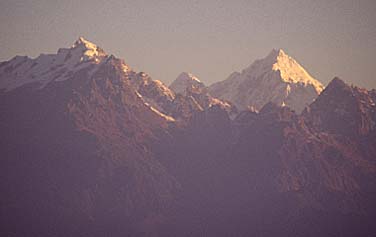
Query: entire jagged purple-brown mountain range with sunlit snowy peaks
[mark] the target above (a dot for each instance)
(90, 147)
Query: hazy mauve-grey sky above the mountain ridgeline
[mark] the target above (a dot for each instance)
(209, 38)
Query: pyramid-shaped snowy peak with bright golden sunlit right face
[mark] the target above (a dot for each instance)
(278, 78)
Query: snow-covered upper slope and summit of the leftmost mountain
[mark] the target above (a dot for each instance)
(51, 67)
